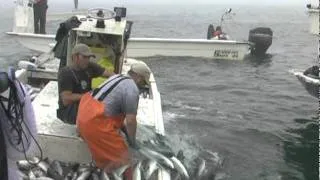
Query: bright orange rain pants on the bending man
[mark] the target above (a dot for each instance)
(102, 134)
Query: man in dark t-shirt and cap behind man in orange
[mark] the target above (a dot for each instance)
(75, 80)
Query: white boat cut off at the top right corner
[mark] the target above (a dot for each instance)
(313, 10)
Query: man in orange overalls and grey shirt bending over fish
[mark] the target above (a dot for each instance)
(102, 113)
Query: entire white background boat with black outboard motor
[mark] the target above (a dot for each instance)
(258, 43)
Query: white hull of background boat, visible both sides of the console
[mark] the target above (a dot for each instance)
(146, 47)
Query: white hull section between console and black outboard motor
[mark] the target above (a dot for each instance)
(213, 49)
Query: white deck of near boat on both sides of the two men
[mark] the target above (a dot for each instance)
(55, 136)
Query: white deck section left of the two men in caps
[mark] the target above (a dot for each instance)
(54, 136)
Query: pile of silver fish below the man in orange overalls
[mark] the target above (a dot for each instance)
(146, 165)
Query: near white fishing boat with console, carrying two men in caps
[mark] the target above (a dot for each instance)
(60, 141)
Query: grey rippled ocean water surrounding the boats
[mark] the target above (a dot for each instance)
(254, 114)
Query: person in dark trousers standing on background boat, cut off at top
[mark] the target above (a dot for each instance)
(40, 12)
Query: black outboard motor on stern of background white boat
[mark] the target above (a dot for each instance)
(262, 39)
